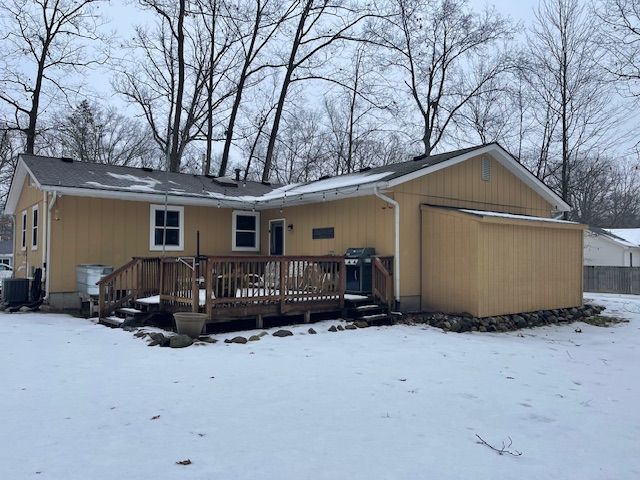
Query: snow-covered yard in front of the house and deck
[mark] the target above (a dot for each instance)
(81, 401)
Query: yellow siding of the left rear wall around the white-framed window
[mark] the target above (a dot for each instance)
(111, 232)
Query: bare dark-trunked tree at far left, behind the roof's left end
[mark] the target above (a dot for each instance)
(45, 42)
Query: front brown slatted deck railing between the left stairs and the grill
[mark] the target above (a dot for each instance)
(237, 286)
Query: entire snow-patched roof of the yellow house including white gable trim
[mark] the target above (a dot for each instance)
(63, 174)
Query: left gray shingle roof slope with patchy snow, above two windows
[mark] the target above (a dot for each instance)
(55, 172)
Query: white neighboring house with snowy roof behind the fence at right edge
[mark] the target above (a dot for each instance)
(603, 248)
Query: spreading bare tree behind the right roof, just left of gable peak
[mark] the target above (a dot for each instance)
(434, 45)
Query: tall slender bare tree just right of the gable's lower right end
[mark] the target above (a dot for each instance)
(564, 71)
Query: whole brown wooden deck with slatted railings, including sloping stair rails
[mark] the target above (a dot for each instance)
(233, 287)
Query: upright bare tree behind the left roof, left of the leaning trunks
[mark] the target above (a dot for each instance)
(168, 81)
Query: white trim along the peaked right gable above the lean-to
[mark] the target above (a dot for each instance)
(506, 160)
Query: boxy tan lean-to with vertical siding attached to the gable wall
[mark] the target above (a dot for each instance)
(495, 266)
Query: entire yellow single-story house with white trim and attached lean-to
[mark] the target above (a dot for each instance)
(470, 230)
